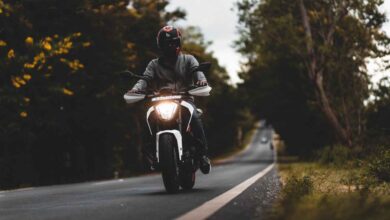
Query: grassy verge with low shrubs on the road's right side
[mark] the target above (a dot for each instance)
(341, 183)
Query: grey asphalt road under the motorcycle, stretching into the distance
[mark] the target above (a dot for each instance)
(144, 197)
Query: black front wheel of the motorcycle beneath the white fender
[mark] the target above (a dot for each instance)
(168, 162)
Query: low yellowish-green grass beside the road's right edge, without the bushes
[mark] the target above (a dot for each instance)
(313, 190)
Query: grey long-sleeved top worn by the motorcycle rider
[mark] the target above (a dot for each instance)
(178, 77)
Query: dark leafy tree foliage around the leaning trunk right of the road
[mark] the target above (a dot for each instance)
(277, 73)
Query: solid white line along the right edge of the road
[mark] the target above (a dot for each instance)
(210, 207)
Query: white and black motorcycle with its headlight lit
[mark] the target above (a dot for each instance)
(168, 120)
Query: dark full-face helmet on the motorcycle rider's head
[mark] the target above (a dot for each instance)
(169, 41)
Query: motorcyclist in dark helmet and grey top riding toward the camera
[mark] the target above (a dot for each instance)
(173, 70)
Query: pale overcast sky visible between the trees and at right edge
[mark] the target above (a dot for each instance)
(218, 22)
